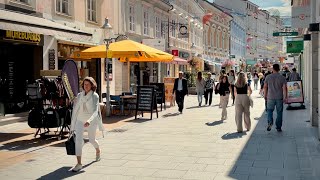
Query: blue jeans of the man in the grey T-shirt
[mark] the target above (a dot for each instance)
(271, 104)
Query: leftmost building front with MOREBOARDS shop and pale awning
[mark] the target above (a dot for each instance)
(41, 35)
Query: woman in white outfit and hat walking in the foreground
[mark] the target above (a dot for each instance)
(86, 116)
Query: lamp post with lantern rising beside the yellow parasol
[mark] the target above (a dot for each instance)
(107, 41)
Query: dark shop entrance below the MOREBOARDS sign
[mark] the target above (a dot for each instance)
(19, 64)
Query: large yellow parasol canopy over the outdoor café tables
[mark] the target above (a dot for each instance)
(127, 50)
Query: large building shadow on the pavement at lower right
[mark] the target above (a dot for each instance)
(273, 155)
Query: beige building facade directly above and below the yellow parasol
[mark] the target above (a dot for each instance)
(140, 21)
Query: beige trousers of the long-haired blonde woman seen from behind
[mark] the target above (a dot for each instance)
(242, 105)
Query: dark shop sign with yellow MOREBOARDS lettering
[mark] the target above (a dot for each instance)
(21, 37)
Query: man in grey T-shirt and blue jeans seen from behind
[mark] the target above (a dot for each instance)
(275, 89)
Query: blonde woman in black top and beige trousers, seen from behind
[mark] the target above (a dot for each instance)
(242, 102)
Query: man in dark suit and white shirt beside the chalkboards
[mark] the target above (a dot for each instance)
(181, 89)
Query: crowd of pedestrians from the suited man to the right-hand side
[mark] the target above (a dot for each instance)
(237, 87)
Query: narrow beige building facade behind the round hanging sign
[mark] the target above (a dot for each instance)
(186, 15)
